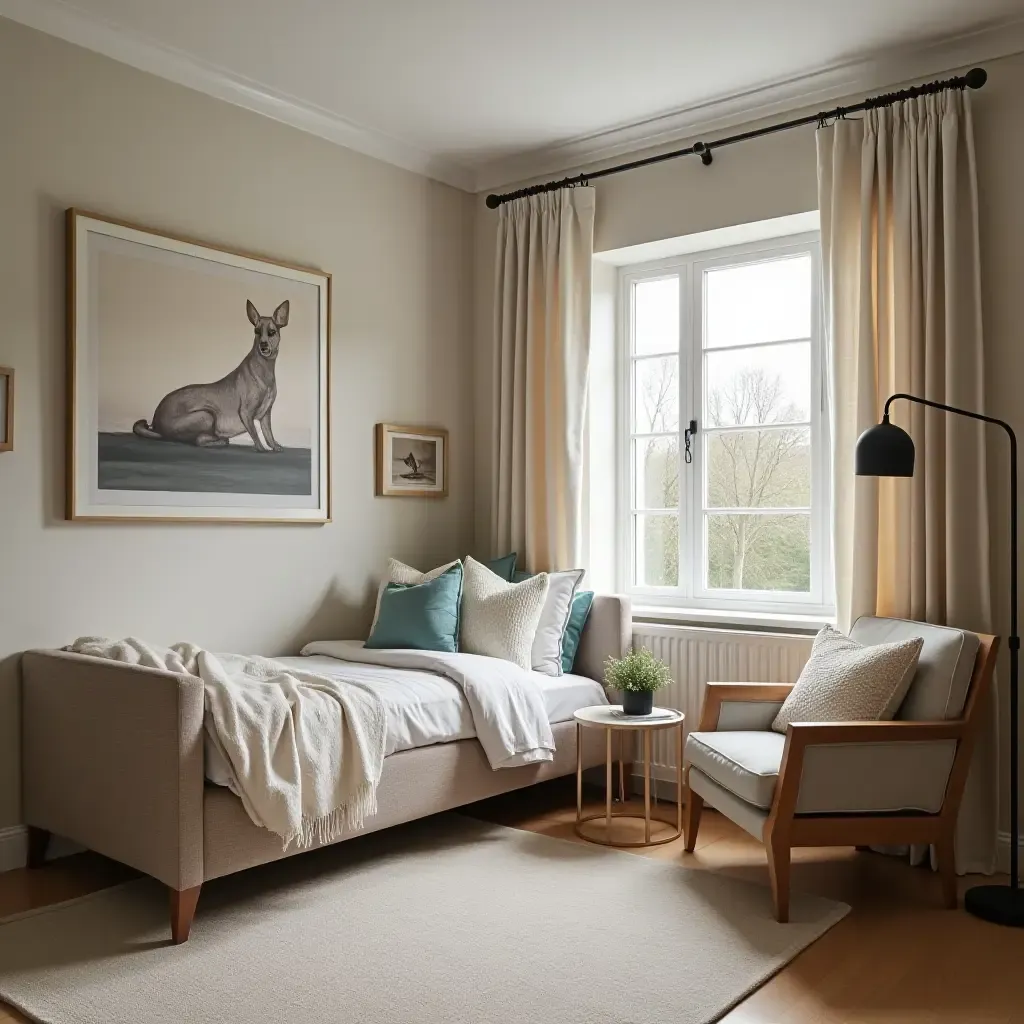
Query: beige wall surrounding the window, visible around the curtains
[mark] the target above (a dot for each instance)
(776, 177)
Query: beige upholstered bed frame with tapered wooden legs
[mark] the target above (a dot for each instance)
(113, 759)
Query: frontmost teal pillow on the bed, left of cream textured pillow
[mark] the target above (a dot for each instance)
(420, 617)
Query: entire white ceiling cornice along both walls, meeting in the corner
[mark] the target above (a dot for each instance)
(58, 18)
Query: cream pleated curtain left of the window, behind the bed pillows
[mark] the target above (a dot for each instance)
(542, 338)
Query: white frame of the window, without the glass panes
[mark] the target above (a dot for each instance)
(692, 594)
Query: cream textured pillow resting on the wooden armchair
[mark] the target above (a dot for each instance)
(845, 681)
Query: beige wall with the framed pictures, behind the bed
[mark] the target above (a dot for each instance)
(80, 131)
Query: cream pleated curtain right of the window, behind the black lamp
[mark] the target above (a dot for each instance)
(899, 198)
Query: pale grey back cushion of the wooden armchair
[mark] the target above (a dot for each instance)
(945, 668)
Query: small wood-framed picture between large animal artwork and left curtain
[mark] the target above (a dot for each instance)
(411, 462)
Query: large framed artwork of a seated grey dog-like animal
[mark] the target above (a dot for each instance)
(199, 385)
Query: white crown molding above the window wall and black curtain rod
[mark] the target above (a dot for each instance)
(877, 74)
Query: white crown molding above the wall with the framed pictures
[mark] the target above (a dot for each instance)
(59, 19)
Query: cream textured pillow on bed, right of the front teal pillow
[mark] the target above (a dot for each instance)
(500, 619)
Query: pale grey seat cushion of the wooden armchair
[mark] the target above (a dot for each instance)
(745, 763)
